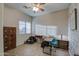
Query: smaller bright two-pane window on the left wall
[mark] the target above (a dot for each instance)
(24, 27)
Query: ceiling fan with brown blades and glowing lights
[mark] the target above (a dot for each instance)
(36, 7)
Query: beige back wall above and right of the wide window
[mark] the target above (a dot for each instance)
(59, 19)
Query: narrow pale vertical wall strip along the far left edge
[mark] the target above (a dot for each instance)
(1, 30)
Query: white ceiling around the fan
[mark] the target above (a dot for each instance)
(49, 7)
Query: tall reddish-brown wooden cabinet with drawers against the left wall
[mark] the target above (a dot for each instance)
(9, 35)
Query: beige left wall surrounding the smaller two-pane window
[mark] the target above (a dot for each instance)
(11, 18)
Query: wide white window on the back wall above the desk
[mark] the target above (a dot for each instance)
(45, 30)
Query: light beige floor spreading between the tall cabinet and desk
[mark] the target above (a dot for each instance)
(33, 50)
